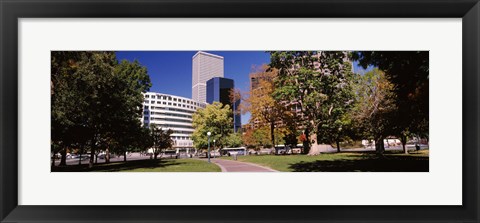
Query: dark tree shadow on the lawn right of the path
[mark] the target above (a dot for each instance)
(366, 163)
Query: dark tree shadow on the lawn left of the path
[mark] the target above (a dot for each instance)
(115, 166)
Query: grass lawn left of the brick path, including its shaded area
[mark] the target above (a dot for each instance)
(164, 165)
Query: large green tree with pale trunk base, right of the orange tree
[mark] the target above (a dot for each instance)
(318, 82)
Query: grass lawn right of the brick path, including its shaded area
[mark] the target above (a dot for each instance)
(393, 161)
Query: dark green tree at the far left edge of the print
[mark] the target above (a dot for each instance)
(76, 90)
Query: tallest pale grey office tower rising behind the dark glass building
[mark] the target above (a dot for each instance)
(205, 66)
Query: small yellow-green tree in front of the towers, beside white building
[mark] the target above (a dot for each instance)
(215, 118)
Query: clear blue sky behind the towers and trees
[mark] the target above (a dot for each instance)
(171, 71)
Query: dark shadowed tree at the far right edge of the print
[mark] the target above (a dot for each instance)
(408, 72)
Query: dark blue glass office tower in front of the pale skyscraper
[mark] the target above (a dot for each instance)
(218, 89)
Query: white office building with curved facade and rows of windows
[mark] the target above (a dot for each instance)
(172, 112)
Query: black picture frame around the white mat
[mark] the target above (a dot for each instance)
(11, 11)
